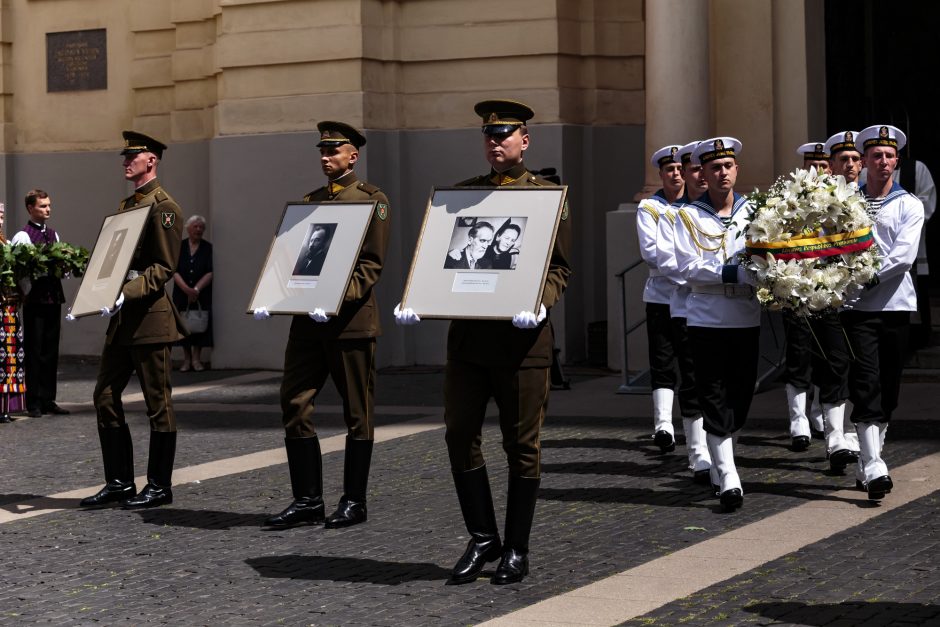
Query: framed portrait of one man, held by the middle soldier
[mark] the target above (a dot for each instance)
(312, 257)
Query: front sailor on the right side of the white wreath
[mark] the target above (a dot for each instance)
(877, 323)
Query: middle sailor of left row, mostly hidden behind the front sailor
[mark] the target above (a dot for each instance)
(692, 423)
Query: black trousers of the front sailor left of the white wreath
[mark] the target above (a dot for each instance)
(725, 374)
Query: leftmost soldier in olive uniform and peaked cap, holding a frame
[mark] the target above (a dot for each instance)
(143, 326)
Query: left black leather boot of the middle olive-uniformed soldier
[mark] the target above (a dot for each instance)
(305, 463)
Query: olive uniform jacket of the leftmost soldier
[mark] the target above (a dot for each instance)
(148, 315)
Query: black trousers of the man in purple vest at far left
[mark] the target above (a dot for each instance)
(42, 325)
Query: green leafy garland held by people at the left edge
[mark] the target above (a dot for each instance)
(26, 261)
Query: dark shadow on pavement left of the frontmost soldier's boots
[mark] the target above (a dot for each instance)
(351, 569)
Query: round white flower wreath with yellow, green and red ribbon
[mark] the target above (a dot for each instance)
(809, 243)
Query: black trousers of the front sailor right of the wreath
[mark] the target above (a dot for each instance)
(879, 342)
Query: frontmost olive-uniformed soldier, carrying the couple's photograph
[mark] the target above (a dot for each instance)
(507, 361)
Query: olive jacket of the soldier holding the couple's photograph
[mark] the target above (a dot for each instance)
(496, 342)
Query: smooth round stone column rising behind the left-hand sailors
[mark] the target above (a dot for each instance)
(678, 101)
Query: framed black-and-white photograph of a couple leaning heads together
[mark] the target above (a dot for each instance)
(483, 252)
